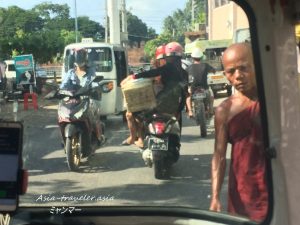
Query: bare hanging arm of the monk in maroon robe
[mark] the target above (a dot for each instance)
(219, 157)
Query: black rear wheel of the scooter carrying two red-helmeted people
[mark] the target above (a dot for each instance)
(160, 168)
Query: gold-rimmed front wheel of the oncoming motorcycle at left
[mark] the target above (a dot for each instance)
(73, 151)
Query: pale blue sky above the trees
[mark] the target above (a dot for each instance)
(151, 12)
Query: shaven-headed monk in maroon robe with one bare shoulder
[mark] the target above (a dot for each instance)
(237, 121)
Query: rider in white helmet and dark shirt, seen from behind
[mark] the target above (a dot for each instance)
(199, 71)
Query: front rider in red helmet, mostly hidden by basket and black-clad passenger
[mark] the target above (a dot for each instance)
(134, 125)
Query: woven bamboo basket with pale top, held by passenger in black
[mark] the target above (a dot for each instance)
(139, 95)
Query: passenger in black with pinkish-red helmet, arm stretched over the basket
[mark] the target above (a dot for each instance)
(173, 77)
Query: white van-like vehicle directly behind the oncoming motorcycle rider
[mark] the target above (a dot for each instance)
(110, 62)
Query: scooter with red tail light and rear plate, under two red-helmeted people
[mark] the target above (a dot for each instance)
(161, 143)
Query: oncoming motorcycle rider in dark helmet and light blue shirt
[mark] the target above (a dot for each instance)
(82, 74)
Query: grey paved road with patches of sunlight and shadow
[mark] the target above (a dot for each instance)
(115, 175)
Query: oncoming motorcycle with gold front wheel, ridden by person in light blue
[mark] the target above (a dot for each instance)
(77, 115)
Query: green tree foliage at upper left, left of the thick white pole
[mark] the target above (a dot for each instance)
(42, 31)
